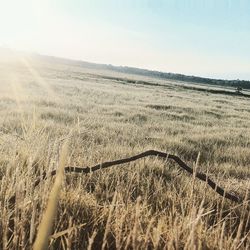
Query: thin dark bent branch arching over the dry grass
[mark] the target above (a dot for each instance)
(163, 155)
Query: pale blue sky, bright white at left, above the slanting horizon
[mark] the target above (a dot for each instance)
(209, 38)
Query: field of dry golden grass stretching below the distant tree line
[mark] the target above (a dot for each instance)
(104, 116)
